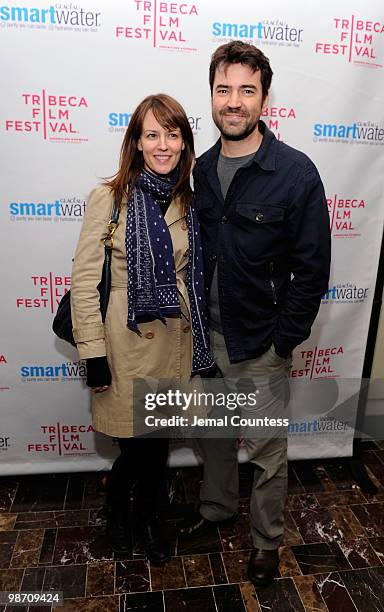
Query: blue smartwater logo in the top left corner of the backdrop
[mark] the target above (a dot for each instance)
(63, 16)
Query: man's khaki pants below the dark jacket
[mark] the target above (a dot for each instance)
(219, 492)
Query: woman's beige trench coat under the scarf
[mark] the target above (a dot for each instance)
(163, 351)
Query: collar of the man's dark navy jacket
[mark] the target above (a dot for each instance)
(265, 156)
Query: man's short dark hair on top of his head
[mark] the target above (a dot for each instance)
(238, 52)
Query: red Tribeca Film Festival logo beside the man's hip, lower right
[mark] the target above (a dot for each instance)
(319, 362)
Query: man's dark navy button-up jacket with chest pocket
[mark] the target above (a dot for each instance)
(270, 239)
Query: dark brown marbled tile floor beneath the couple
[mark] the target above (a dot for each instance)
(52, 538)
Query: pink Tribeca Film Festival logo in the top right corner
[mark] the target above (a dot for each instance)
(356, 40)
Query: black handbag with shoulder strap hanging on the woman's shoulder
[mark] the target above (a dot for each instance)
(62, 323)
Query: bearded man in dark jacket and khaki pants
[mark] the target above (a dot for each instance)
(266, 240)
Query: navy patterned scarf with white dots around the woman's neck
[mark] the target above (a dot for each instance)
(152, 288)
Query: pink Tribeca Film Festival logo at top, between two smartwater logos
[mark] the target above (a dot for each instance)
(160, 23)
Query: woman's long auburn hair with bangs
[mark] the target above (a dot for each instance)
(171, 115)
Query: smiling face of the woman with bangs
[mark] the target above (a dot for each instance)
(161, 147)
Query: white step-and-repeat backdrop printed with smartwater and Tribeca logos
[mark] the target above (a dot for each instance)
(72, 74)
